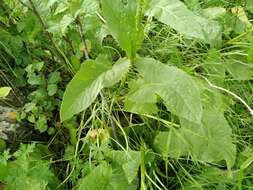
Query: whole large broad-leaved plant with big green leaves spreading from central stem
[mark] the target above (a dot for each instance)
(202, 131)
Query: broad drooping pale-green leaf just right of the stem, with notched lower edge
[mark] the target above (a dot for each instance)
(179, 91)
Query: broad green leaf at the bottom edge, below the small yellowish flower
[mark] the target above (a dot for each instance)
(120, 174)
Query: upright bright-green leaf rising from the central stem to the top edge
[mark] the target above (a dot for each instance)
(123, 20)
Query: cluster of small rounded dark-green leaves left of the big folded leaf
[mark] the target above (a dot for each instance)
(43, 100)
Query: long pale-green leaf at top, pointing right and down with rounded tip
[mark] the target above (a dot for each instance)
(175, 14)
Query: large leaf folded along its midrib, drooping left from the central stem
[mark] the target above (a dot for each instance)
(88, 82)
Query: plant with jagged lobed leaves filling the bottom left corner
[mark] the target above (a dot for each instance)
(26, 170)
